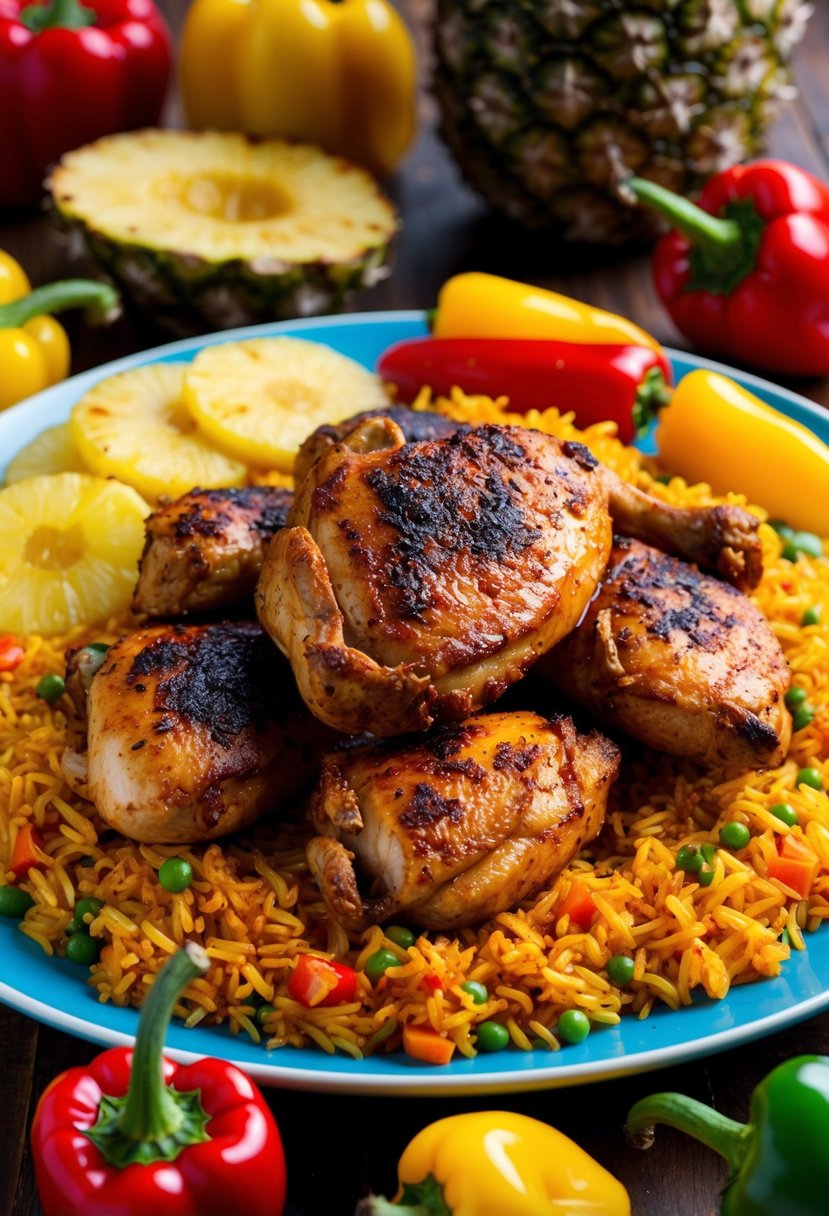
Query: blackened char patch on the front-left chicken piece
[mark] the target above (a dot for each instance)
(219, 677)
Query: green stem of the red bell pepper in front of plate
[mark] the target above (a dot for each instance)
(154, 1122)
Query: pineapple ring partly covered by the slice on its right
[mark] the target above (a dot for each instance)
(137, 427)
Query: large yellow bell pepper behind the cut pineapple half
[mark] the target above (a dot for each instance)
(337, 75)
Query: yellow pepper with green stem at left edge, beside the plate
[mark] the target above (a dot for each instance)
(35, 350)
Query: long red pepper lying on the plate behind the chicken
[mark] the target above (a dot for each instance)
(627, 385)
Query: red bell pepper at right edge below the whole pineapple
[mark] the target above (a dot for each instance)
(746, 275)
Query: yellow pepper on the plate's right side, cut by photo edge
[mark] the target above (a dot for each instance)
(715, 431)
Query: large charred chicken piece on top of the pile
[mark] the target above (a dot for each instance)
(416, 583)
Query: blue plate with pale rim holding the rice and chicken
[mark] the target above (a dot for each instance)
(55, 993)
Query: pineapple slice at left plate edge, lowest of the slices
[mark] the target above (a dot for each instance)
(70, 548)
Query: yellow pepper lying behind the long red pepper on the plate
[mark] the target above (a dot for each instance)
(480, 306)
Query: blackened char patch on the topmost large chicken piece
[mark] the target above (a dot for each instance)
(445, 498)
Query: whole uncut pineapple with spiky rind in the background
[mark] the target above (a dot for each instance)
(548, 105)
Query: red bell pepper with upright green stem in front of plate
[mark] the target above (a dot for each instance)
(137, 1135)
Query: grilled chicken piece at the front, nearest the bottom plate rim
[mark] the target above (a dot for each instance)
(456, 826)
